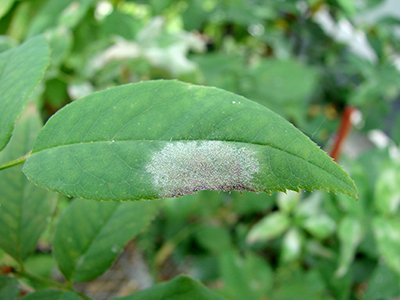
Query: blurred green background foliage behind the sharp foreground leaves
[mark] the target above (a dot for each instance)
(307, 60)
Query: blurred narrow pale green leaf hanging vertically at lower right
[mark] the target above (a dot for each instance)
(350, 234)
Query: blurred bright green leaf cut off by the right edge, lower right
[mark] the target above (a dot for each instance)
(387, 235)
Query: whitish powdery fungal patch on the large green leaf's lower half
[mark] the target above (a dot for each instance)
(181, 168)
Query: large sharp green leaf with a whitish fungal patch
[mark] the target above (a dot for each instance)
(159, 139)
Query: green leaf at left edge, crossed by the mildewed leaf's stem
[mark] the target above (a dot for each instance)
(24, 208)
